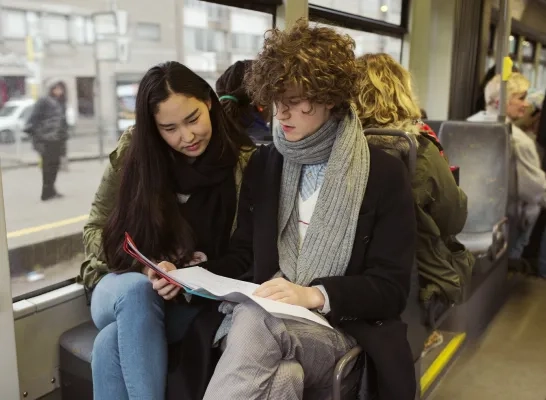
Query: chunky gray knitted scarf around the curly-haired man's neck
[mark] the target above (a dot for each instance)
(328, 244)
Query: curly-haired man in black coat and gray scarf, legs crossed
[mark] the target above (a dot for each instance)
(331, 226)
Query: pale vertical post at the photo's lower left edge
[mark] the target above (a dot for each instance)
(9, 377)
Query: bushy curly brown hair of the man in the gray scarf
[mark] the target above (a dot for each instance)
(316, 61)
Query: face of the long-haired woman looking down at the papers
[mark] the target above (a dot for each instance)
(184, 123)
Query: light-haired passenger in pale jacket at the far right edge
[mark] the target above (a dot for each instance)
(530, 177)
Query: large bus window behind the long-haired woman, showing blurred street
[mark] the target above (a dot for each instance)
(45, 237)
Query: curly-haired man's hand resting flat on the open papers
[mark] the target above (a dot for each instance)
(280, 289)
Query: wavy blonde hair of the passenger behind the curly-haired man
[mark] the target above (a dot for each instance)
(385, 97)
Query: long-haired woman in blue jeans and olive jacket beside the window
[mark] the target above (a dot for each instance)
(172, 184)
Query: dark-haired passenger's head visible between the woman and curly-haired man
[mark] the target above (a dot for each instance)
(237, 103)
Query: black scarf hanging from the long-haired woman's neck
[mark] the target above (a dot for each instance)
(210, 183)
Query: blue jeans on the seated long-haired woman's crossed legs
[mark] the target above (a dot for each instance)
(129, 359)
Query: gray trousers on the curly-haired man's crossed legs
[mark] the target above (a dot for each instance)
(272, 358)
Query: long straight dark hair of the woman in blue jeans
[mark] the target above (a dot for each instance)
(147, 206)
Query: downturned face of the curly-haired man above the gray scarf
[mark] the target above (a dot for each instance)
(298, 117)
